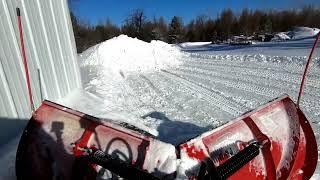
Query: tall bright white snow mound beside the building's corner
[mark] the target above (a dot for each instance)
(122, 55)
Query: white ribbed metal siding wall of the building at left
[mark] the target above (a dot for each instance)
(50, 47)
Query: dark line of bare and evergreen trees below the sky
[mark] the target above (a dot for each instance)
(201, 28)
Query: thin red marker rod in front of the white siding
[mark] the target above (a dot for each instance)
(24, 58)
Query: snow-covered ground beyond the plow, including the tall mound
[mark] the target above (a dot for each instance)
(178, 92)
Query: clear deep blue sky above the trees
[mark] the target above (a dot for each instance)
(95, 11)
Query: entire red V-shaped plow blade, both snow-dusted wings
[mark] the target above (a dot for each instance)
(273, 142)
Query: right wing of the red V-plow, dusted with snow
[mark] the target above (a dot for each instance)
(289, 152)
